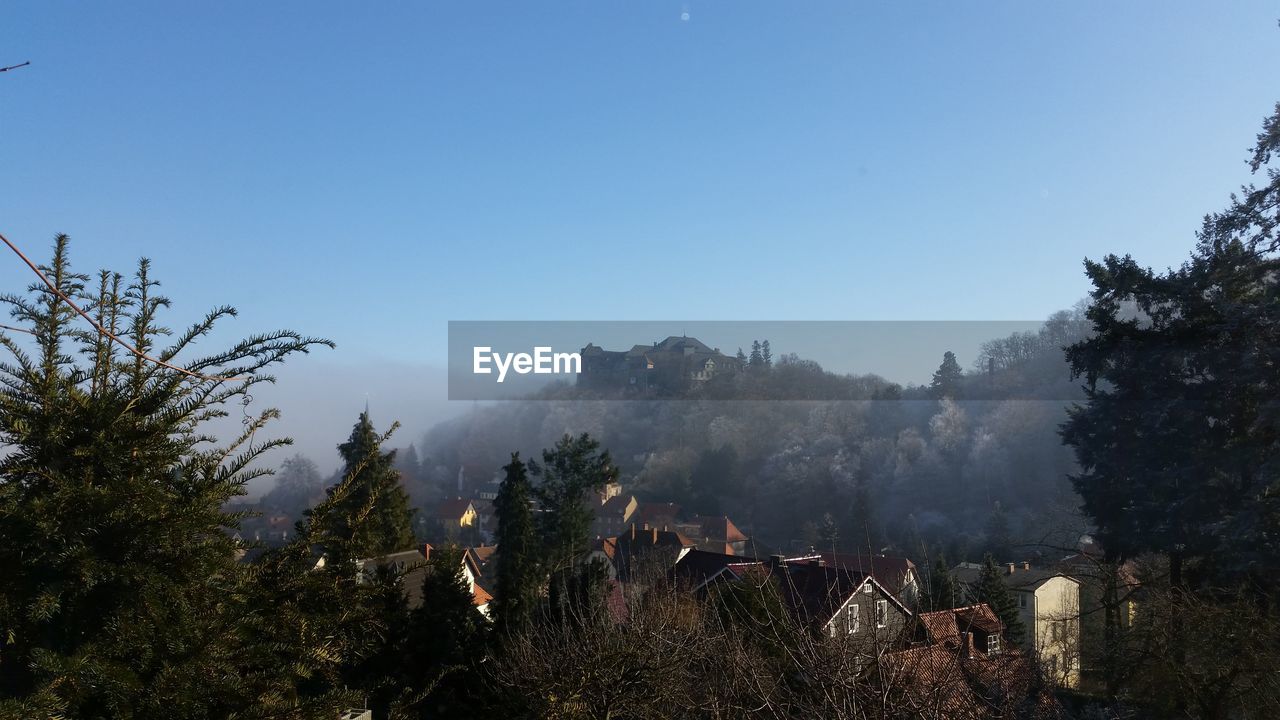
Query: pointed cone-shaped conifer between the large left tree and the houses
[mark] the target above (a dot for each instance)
(373, 516)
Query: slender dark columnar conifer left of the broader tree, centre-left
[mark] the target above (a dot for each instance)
(519, 580)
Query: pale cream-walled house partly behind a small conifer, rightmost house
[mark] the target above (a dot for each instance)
(1049, 605)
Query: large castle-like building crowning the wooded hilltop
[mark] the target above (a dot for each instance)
(671, 366)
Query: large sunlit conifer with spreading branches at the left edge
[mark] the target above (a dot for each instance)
(122, 595)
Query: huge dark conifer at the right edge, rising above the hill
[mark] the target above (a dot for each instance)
(1178, 443)
